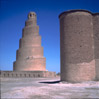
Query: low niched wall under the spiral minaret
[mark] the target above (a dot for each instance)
(27, 74)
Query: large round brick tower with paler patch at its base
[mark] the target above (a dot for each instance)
(77, 46)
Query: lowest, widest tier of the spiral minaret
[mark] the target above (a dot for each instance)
(36, 64)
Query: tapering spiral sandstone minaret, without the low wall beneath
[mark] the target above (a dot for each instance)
(29, 56)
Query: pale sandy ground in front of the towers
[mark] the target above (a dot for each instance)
(47, 88)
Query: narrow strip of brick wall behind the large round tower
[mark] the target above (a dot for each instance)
(96, 42)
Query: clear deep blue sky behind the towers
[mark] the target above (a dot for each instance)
(13, 14)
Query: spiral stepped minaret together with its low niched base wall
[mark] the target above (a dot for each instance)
(29, 57)
